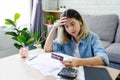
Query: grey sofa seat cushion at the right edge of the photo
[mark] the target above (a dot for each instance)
(113, 52)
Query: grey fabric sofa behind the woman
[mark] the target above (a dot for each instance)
(107, 27)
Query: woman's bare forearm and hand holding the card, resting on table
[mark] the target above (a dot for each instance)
(76, 62)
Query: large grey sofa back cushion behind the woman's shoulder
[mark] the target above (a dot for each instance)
(104, 25)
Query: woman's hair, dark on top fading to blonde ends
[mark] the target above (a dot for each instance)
(66, 37)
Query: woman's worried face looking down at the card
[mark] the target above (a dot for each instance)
(72, 26)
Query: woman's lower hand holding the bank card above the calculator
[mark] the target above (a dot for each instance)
(71, 62)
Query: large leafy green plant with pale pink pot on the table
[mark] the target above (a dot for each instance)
(23, 37)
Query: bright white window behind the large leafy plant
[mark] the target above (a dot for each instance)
(9, 7)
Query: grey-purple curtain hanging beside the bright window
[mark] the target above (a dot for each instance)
(36, 19)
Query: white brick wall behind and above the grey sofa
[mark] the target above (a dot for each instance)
(90, 6)
